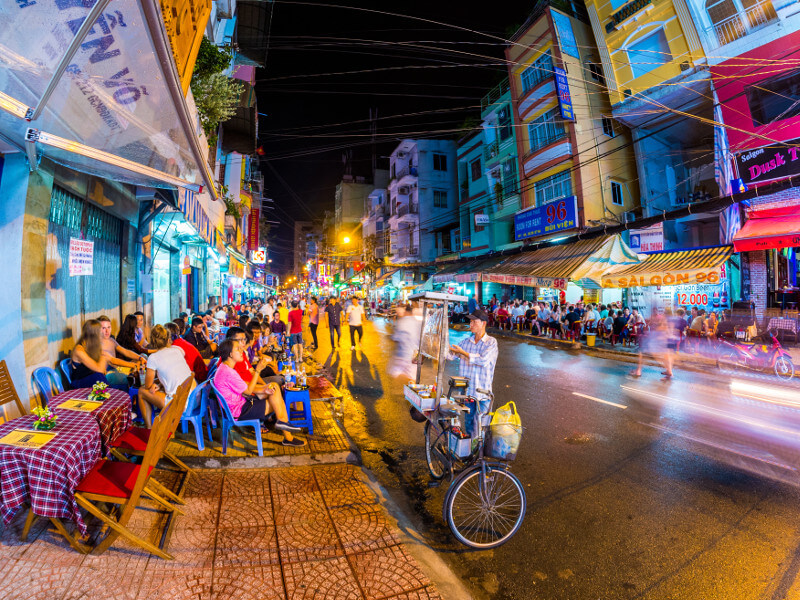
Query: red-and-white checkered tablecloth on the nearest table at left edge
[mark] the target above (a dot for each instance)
(47, 477)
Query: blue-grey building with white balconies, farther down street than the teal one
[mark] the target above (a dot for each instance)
(423, 222)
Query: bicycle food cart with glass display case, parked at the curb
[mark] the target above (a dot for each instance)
(485, 503)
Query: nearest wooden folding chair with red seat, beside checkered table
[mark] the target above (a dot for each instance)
(122, 484)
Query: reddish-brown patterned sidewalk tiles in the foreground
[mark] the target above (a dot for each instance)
(291, 533)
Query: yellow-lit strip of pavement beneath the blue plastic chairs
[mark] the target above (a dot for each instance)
(328, 437)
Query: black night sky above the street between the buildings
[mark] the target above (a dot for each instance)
(328, 65)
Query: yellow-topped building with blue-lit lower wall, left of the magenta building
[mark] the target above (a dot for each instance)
(655, 73)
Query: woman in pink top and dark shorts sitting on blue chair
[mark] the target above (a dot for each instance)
(245, 400)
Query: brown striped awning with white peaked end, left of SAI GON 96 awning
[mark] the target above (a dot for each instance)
(583, 262)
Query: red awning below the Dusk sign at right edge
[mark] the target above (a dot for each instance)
(771, 228)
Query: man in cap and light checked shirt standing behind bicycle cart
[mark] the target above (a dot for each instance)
(478, 356)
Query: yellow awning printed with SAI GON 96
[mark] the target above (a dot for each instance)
(672, 268)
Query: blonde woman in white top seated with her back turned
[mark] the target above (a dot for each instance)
(169, 363)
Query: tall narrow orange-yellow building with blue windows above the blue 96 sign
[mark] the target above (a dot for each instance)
(572, 153)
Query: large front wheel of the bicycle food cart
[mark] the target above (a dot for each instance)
(485, 508)
